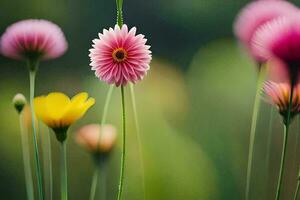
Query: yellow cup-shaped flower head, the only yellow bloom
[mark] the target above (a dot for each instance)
(58, 111)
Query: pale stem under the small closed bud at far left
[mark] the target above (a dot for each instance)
(26, 160)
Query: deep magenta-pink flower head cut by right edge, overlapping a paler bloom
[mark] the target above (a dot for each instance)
(280, 39)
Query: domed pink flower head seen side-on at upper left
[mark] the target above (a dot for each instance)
(33, 39)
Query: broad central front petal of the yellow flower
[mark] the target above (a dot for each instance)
(56, 104)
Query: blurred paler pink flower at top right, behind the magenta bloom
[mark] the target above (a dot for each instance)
(255, 15)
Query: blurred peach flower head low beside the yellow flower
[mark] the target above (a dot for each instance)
(88, 137)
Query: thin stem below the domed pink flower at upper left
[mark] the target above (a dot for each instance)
(35, 142)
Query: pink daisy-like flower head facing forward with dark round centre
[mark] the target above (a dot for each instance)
(120, 56)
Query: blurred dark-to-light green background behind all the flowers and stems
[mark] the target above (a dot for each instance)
(194, 106)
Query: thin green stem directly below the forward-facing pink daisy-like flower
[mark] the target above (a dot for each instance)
(123, 146)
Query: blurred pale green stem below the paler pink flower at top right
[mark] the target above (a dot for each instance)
(253, 128)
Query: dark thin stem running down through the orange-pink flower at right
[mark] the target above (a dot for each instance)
(284, 148)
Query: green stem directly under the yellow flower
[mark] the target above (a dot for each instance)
(63, 170)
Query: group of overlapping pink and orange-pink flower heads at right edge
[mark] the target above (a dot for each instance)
(270, 30)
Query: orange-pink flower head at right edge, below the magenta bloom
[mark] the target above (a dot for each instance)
(280, 96)
